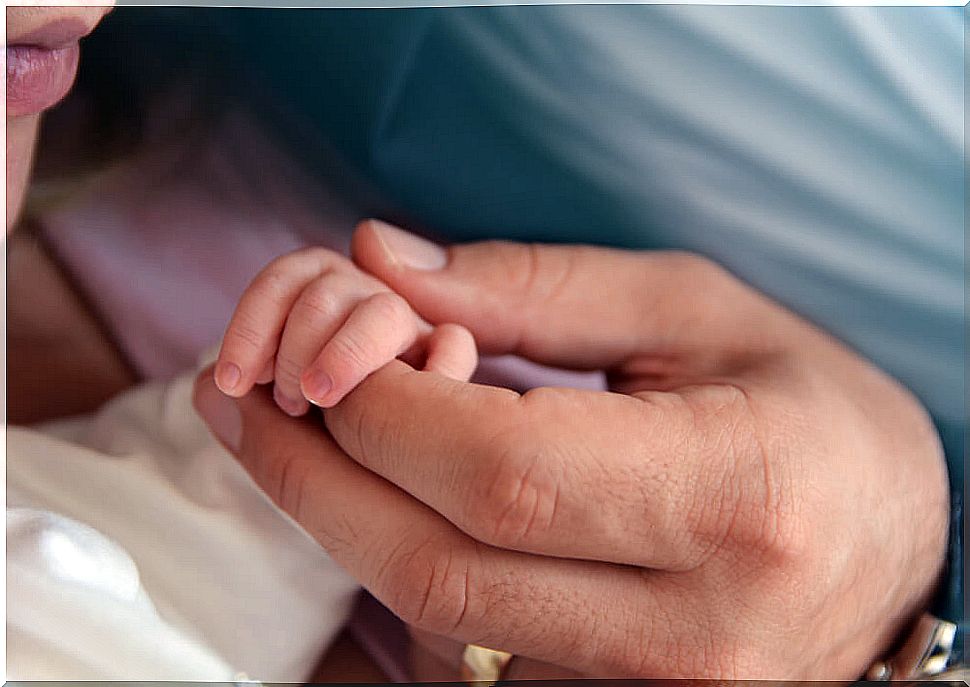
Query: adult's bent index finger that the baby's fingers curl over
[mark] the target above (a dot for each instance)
(558, 472)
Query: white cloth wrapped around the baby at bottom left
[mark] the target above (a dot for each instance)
(138, 549)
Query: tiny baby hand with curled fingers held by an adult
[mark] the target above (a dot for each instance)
(316, 326)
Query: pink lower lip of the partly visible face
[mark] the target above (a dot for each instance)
(38, 77)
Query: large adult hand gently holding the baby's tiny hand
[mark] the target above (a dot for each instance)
(750, 500)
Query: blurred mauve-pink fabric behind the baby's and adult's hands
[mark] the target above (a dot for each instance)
(164, 245)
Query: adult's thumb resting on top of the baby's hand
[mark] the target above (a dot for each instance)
(579, 307)
